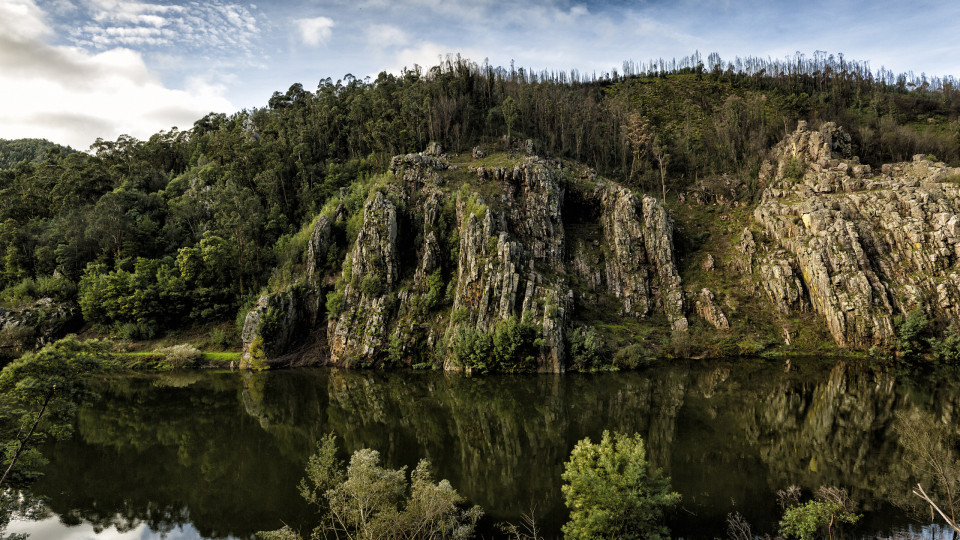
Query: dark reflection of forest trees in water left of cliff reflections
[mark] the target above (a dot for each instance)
(169, 456)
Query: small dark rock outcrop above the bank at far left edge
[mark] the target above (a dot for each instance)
(35, 325)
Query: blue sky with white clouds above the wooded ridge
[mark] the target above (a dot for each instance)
(75, 70)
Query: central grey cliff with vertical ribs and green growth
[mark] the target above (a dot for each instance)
(434, 257)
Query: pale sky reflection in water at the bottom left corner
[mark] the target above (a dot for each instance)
(53, 529)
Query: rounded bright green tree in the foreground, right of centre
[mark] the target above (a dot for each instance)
(612, 492)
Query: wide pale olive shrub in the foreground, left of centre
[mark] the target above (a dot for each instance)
(366, 501)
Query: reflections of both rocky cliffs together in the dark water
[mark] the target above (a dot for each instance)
(729, 436)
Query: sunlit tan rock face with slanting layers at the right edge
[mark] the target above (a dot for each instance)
(856, 247)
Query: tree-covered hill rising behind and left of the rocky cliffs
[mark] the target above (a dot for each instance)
(188, 227)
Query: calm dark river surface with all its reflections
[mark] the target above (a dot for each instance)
(214, 455)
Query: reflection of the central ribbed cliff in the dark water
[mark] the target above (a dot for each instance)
(501, 440)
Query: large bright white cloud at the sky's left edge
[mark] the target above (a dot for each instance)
(71, 96)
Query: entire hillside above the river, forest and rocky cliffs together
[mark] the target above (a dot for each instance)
(641, 205)
